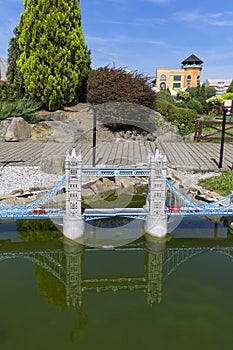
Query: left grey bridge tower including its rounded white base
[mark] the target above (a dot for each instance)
(73, 220)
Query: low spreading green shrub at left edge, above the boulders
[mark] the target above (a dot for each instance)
(24, 108)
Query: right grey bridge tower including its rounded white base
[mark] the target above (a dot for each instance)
(156, 221)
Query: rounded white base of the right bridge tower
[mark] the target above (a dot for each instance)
(156, 226)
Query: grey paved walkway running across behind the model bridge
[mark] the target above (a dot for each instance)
(191, 157)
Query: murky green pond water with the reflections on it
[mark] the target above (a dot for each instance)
(146, 295)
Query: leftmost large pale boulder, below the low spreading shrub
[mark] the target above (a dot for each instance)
(18, 129)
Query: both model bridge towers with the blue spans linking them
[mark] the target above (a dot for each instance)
(154, 211)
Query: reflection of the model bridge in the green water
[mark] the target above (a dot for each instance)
(157, 259)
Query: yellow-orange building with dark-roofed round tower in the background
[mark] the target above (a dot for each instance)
(179, 78)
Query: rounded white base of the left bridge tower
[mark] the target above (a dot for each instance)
(73, 227)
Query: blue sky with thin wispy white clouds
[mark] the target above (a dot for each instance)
(142, 35)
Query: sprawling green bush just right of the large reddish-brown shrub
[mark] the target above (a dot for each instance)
(183, 118)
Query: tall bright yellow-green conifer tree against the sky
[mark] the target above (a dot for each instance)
(53, 51)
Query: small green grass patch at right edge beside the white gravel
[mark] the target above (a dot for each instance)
(222, 184)
